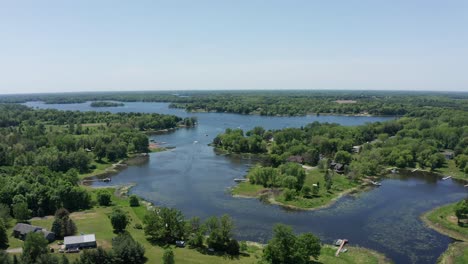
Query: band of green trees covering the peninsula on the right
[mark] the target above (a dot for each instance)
(406, 142)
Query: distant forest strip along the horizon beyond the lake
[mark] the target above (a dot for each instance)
(291, 103)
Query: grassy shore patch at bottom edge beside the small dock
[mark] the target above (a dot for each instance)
(354, 255)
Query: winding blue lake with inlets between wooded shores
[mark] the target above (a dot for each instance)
(194, 179)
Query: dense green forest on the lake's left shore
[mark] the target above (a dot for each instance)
(43, 151)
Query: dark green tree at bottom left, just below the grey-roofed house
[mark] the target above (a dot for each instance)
(34, 246)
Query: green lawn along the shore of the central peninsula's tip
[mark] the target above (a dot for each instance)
(340, 185)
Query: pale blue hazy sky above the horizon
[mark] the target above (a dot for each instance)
(99, 45)
